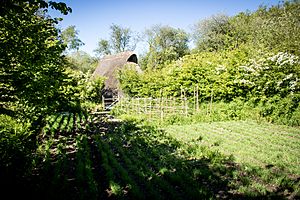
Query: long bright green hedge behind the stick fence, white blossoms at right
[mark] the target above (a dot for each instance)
(262, 79)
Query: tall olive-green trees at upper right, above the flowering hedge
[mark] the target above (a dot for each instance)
(275, 28)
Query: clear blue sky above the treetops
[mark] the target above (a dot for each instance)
(92, 18)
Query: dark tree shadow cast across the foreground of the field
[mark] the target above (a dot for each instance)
(124, 160)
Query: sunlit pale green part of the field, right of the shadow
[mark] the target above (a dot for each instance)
(249, 142)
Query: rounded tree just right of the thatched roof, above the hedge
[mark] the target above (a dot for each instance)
(165, 45)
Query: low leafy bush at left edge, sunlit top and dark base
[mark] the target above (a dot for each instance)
(16, 145)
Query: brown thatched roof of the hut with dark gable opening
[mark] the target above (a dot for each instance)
(109, 65)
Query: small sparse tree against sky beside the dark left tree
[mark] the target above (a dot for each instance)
(70, 38)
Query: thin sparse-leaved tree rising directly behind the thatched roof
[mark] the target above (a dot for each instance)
(121, 39)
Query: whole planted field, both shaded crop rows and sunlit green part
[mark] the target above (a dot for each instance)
(82, 156)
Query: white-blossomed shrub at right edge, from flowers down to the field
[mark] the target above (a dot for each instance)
(274, 83)
